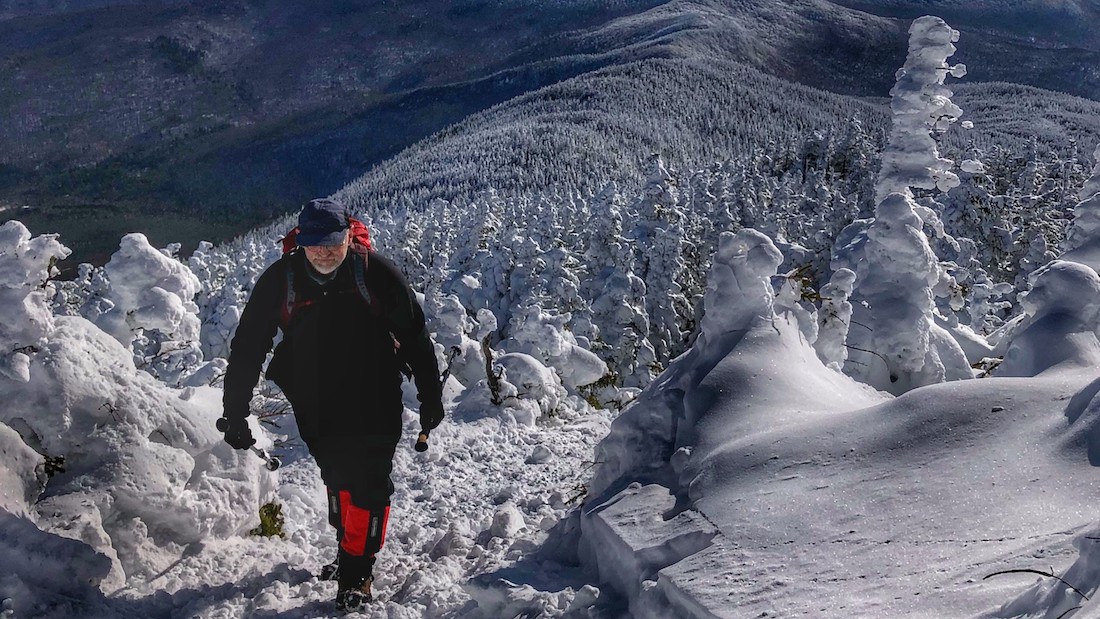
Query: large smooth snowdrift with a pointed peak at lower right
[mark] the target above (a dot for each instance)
(832, 501)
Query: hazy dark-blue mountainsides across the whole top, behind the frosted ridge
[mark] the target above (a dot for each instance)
(217, 116)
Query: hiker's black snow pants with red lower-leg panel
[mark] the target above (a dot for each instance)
(356, 471)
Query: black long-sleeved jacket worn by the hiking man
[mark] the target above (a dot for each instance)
(337, 363)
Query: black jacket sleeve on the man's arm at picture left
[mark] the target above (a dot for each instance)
(254, 341)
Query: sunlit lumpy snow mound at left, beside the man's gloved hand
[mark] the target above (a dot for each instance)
(146, 472)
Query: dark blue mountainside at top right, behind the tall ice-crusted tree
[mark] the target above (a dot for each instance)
(856, 52)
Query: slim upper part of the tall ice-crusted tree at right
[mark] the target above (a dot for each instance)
(921, 105)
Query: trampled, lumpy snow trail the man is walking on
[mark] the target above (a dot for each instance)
(479, 501)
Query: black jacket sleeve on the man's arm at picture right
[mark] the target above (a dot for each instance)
(406, 318)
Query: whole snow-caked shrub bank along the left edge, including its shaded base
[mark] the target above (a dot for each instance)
(137, 472)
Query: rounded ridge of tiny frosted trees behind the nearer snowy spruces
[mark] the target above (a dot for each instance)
(584, 132)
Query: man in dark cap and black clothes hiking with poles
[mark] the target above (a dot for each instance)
(350, 324)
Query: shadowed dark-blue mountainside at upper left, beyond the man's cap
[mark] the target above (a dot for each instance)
(238, 110)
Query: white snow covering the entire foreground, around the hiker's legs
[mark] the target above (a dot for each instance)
(750, 480)
